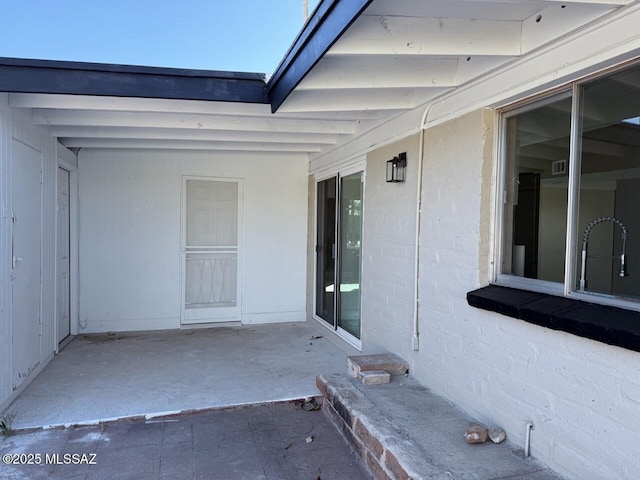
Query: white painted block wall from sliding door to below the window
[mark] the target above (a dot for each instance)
(582, 396)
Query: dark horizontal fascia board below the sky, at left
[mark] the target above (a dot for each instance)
(77, 78)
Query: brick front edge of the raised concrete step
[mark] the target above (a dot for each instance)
(372, 436)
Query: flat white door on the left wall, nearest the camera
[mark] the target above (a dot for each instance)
(26, 167)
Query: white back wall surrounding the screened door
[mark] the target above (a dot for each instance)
(130, 209)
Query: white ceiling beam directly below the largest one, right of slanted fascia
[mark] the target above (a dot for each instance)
(353, 71)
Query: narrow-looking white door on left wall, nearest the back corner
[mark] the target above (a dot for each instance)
(63, 267)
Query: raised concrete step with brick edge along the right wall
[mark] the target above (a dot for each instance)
(402, 430)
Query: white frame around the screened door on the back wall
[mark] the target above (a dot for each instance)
(237, 317)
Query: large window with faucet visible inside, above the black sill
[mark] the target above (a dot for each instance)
(571, 190)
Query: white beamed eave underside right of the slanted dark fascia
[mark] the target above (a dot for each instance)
(400, 54)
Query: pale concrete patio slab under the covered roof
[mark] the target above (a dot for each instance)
(100, 377)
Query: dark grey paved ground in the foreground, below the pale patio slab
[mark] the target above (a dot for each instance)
(258, 443)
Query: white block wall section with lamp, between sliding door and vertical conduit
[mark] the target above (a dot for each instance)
(388, 260)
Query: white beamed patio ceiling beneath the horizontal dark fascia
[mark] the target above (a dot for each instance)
(111, 122)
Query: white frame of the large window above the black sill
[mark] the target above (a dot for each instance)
(568, 288)
